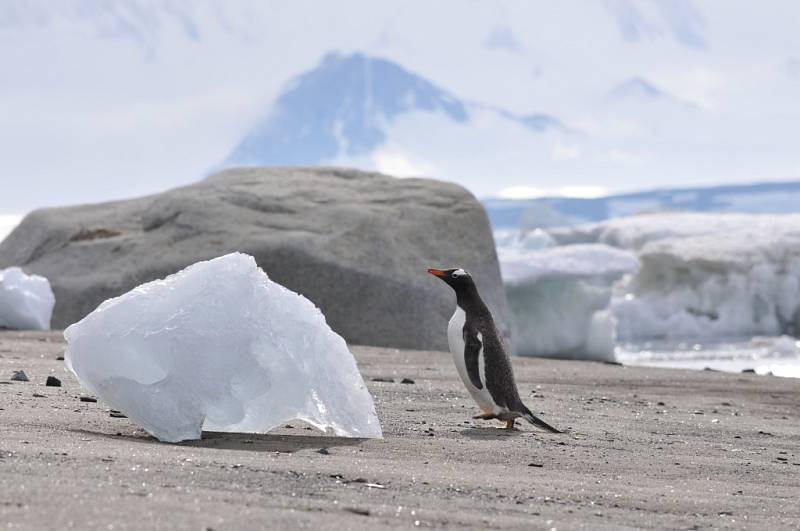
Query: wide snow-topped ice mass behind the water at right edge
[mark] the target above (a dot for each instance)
(704, 276)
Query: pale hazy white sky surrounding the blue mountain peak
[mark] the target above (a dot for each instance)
(119, 98)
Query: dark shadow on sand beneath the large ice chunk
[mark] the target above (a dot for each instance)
(251, 442)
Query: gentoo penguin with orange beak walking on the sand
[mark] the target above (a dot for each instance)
(480, 358)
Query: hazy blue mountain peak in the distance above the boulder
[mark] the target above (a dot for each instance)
(346, 108)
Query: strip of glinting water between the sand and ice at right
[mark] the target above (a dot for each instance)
(779, 356)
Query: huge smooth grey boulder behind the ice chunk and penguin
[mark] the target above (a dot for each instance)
(356, 244)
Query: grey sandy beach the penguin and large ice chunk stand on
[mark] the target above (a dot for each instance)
(646, 448)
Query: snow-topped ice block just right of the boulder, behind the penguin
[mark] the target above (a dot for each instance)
(559, 297)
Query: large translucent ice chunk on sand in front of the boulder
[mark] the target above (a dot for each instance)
(219, 346)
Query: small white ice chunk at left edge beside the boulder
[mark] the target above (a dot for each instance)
(26, 301)
